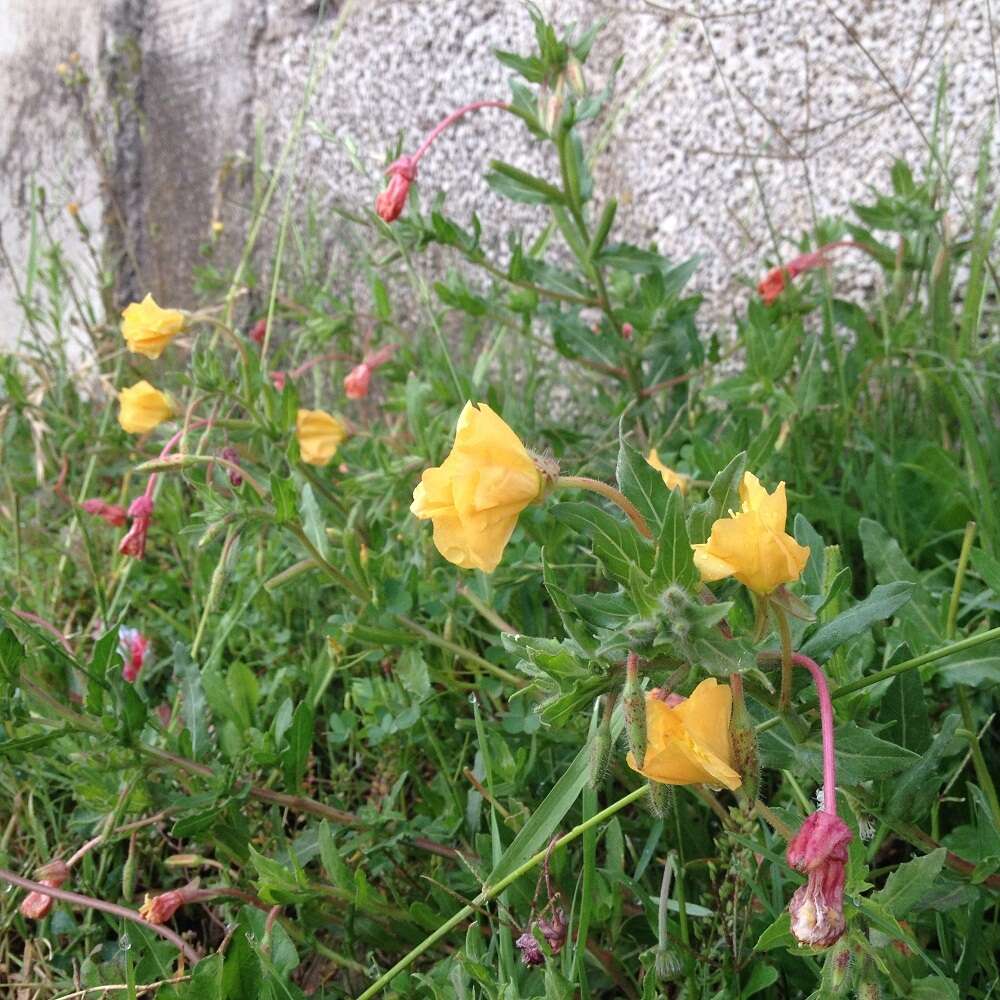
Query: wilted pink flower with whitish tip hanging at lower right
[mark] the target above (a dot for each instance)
(819, 850)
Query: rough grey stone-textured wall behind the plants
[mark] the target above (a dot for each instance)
(735, 123)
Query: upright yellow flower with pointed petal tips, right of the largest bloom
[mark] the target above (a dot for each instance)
(752, 545)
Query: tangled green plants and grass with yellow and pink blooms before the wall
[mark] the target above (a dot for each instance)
(354, 642)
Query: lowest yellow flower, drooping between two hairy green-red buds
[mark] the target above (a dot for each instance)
(689, 743)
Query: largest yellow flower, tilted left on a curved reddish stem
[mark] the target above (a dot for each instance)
(475, 496)
